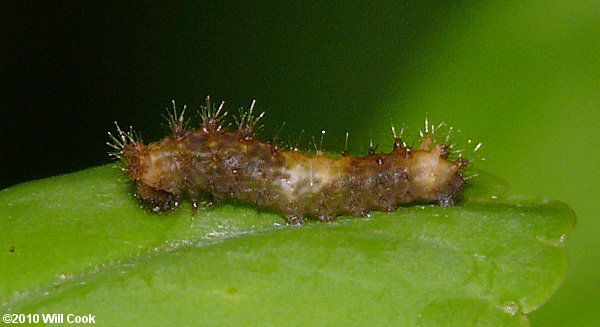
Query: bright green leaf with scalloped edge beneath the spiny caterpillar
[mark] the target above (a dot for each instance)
(79, 243)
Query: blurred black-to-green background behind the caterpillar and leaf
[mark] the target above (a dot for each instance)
(523, 77)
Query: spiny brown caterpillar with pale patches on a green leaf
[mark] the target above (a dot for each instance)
(223, 163)
